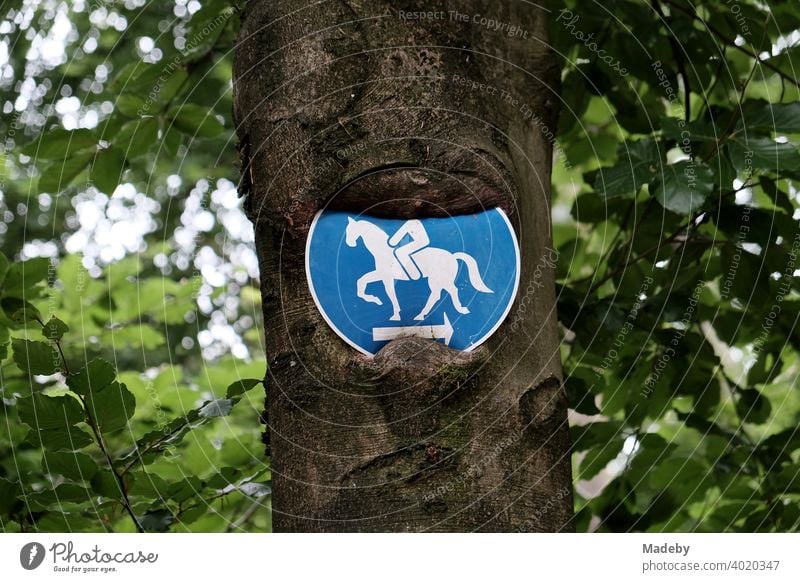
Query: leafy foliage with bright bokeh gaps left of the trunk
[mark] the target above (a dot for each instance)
(116, 415)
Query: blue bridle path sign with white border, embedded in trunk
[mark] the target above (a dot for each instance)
(378, 279)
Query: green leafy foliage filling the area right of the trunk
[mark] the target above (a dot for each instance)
(677, 280)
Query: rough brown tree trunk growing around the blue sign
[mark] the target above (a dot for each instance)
(358, 105)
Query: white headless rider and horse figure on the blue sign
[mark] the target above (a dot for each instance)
(439, 266)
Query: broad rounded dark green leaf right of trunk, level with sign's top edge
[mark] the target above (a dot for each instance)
(684, 187)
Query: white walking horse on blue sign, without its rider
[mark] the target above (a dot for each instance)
(439, 266)
